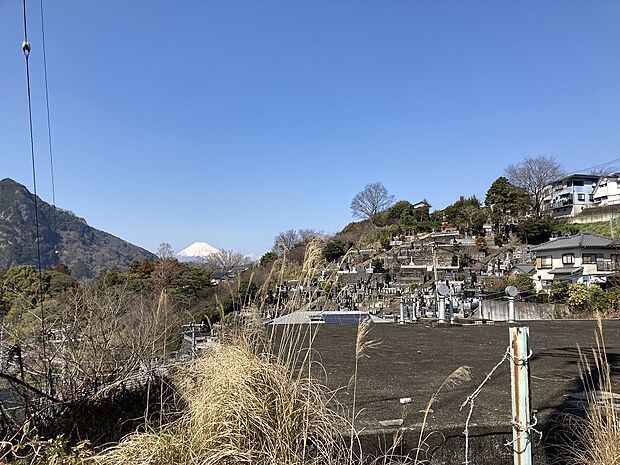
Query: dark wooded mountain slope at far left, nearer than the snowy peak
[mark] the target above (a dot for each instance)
(64, 237)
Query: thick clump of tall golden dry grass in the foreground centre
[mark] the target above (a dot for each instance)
(241, 407)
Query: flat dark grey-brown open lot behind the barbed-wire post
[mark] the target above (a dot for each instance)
(414, 360)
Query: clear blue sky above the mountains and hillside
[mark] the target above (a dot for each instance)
(230, 121)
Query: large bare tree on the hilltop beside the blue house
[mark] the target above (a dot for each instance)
(533, 175)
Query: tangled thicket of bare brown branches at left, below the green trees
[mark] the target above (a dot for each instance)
(99, 337)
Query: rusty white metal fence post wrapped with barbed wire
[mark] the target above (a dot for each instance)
(520, 384)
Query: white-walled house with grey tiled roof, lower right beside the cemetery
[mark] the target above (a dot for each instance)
(582, 258)
